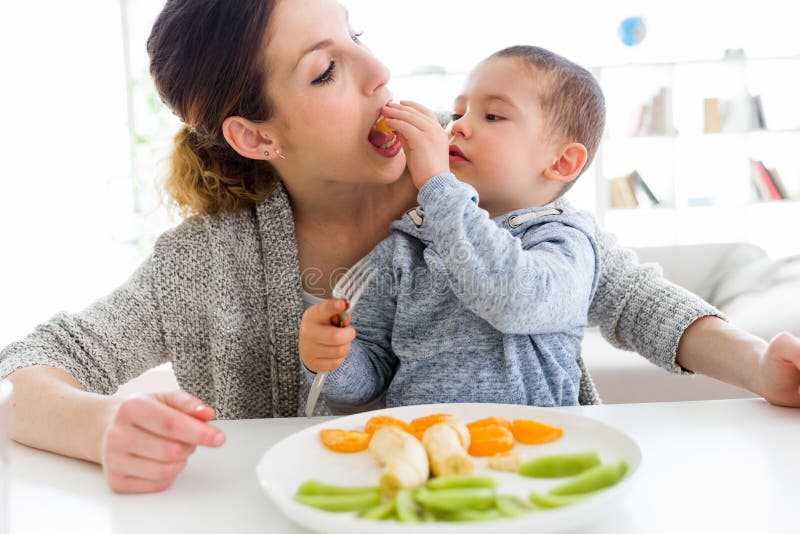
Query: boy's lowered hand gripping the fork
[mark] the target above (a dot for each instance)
(322, 346)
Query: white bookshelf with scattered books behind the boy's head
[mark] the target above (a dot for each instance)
(697, 133)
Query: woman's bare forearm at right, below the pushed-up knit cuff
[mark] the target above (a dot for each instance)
(715, 348)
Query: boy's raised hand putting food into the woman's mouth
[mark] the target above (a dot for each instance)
(424, 140)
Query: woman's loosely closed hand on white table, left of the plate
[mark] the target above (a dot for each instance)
(150, 437)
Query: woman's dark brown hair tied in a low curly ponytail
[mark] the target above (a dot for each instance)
(206, 64)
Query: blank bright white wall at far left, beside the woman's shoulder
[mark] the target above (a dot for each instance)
(64, 185)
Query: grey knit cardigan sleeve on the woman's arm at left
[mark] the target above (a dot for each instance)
(113, 340)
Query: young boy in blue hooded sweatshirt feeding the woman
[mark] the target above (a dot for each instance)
(489, 303)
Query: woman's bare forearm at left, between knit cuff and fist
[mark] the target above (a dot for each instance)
(52, 412)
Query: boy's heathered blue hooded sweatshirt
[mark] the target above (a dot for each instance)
(464, 308)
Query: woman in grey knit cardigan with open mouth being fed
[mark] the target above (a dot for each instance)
(268, 90)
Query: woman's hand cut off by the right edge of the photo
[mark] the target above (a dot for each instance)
(779, 371)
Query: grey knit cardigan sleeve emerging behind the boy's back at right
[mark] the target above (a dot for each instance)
(638, 309)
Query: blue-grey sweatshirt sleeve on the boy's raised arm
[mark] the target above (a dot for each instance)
(540, 285)
